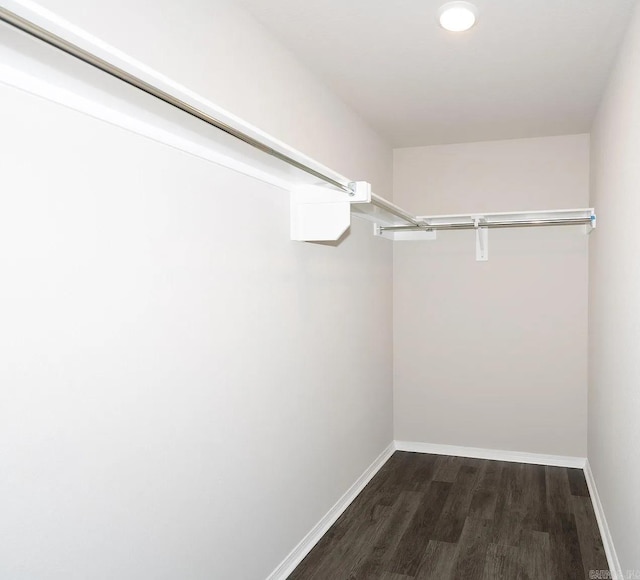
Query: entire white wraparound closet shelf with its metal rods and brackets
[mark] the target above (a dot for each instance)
(58, 61)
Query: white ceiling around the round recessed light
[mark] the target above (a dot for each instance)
(528, 68)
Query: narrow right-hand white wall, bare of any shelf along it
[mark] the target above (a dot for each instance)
(614, 302)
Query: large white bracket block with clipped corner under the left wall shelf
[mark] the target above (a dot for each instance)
(322, 214)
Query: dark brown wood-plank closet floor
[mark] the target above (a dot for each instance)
(439, 517)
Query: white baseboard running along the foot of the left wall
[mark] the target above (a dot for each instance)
(311, 539)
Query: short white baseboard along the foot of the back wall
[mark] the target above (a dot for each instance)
(495, 454)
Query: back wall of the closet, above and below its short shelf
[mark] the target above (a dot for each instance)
(493, 354)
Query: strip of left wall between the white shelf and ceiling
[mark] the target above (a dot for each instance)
(219, 50)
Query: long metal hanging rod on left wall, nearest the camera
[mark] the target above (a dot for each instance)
(89, 58)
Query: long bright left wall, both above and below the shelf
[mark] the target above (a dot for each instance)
(184, 393)
